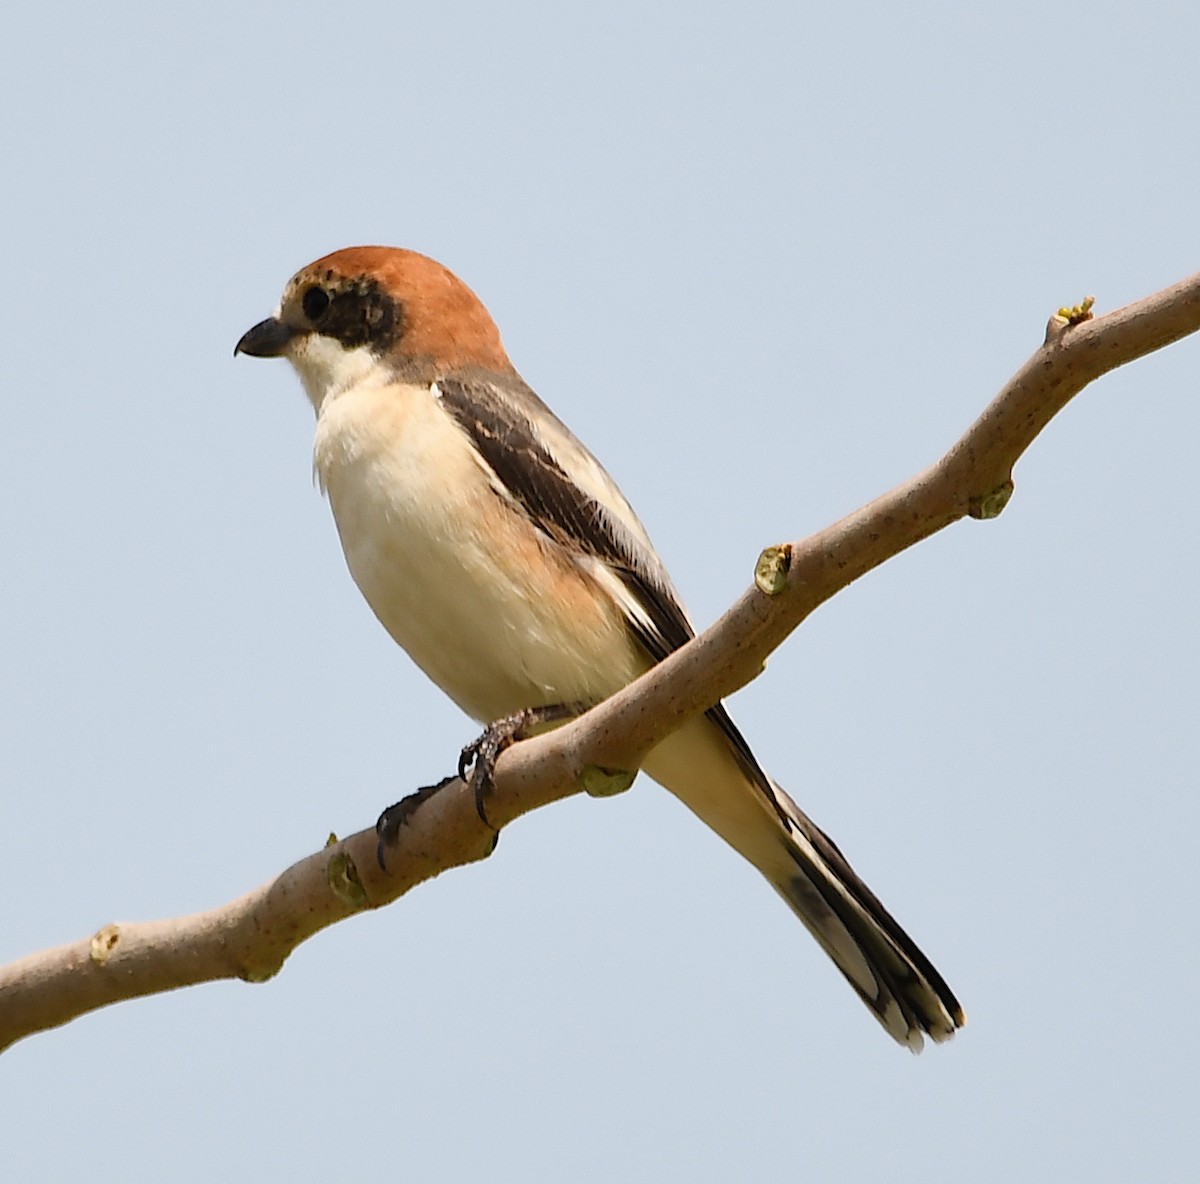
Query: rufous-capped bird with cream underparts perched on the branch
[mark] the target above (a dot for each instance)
(496, 550)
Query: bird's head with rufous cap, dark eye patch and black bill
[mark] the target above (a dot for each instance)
(368, 315)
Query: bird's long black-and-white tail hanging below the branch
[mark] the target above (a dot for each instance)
(710, 768)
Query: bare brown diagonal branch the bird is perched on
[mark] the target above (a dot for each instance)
(251, 937)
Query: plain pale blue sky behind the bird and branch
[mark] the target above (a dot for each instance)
(767, 262)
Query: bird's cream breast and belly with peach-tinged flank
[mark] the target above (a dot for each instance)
(495, 612)
